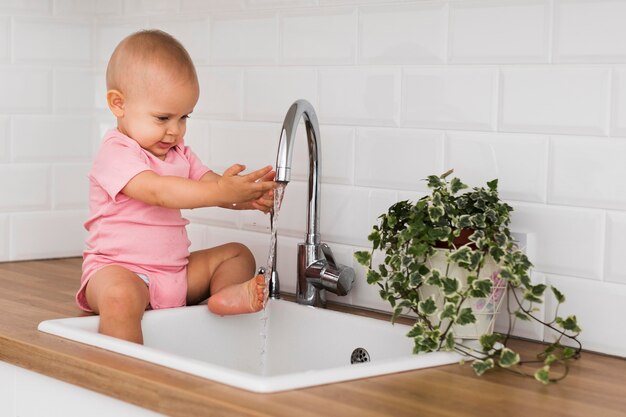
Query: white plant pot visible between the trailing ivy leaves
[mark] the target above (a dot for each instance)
(485, 309)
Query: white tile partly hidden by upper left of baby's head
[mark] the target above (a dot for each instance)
(109, 32)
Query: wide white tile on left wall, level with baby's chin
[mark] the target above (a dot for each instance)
(45, 138)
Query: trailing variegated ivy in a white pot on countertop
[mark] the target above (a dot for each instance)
(450, 259)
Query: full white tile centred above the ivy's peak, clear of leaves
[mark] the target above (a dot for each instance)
(455, 98)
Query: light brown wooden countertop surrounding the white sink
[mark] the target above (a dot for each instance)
(33, 291)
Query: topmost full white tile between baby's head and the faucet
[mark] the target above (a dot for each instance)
(244, 39)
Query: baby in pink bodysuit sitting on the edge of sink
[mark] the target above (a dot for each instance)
(137, 254)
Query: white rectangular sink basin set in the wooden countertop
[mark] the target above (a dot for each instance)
(302, 346)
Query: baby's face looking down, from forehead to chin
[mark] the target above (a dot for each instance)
(155, 114)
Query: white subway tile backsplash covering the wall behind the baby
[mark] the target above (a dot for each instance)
(529, 91)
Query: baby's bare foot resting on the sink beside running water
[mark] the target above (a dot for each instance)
(247, 297)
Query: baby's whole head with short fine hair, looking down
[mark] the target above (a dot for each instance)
(152, 87)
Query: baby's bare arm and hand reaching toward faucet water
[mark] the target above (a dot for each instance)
(177, 192)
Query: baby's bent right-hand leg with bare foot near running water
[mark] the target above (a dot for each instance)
(225, 274)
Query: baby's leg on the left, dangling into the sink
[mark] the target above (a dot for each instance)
(120, 297)
